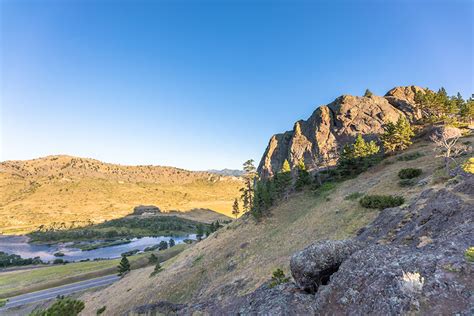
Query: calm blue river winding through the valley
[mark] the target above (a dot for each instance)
(19, 245)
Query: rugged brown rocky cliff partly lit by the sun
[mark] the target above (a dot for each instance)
(319, 139)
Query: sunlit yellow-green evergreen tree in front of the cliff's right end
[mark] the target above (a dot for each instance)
(397, 136)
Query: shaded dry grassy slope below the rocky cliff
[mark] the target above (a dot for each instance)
(238, 258)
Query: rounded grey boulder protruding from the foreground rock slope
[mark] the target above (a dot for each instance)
(314, 265)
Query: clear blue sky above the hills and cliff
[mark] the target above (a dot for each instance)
(200, 84)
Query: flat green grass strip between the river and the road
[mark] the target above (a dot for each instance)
(24, 281)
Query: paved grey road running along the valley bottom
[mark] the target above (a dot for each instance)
(60, 290)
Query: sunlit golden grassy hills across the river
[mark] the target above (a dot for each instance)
(77, 190)
